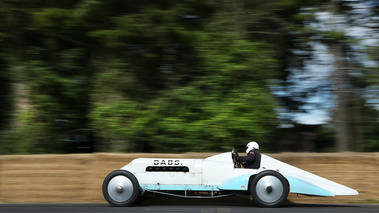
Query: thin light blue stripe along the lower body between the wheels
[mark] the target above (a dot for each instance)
(179, 187)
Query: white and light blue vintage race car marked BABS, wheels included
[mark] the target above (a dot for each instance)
(213, 177)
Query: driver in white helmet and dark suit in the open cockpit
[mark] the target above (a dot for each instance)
(253, 158)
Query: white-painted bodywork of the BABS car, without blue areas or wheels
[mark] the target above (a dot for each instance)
(217, 169)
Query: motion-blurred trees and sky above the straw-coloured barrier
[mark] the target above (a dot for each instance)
(80, 76)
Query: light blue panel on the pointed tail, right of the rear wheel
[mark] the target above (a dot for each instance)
(300, 186)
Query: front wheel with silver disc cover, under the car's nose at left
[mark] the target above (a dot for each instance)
(120, 188)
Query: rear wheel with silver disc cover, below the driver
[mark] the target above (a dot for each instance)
(269, 189)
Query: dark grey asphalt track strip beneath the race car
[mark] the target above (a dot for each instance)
(185, 205)
